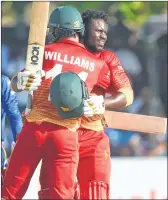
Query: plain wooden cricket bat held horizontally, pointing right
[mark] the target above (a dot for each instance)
(136, 122)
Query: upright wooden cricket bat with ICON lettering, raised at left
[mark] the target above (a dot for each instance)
(37, 35)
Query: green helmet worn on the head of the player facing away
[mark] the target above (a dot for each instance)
(65, 21)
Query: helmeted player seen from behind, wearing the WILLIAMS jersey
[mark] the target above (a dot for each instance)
(50, 129)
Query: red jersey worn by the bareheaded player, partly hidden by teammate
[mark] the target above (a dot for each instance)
(112, 78)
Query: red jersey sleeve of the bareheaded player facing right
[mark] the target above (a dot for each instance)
(113, 78)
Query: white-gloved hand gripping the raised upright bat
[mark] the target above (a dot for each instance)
(29, 81)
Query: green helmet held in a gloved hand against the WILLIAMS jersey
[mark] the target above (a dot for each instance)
(67, 95)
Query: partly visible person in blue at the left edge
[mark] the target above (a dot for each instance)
(9, 109)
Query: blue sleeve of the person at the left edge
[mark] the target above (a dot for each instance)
(10, 106)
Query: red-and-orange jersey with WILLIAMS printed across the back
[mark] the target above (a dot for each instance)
(60, 57)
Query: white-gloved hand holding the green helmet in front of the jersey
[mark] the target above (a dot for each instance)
(93, 106)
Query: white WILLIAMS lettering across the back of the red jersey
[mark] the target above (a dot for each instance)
(73, 60)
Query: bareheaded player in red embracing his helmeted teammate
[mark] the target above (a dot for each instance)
(94, 150)
